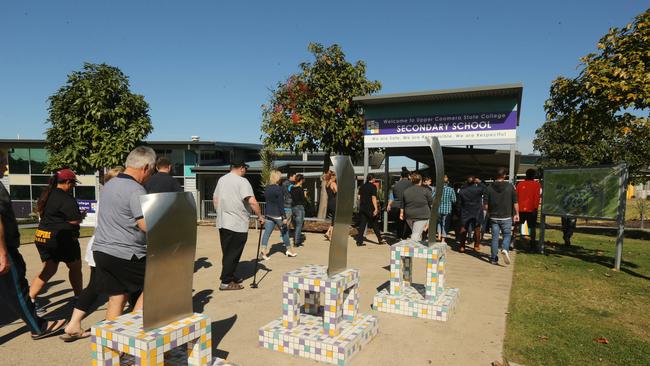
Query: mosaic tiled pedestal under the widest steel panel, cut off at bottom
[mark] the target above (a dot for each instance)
(125, 334)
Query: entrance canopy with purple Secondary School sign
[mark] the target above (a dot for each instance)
(462, 119)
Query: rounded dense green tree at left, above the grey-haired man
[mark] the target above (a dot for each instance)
(95, 120)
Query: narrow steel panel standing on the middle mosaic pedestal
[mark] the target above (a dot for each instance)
(338, 256)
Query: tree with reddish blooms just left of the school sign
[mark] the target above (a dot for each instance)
(313, 110)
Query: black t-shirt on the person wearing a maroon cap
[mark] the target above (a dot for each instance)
(60, 208)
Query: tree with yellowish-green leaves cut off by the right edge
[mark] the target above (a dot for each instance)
(601, 116)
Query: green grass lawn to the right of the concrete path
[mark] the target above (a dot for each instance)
(563, 300)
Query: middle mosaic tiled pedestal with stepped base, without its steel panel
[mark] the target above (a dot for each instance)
(333, 332)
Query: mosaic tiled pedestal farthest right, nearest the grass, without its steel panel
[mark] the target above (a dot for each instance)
(431, 300)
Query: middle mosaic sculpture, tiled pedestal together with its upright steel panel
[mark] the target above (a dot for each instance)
(334, 331)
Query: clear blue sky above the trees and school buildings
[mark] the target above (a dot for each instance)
(205, 67)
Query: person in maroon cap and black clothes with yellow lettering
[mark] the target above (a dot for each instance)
(57, 236)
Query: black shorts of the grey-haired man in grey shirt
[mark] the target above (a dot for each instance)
(116, 276)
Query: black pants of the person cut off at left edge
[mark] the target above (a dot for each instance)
(14, 293)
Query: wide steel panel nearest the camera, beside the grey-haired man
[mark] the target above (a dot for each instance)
(171, 246)
